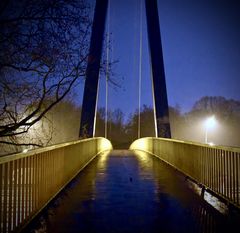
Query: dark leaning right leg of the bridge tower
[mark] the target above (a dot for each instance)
(158, 74)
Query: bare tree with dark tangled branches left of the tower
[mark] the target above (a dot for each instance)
(43, 54)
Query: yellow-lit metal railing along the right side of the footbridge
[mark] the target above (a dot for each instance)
(216, 168)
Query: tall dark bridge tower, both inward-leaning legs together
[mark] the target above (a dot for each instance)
(87, 126)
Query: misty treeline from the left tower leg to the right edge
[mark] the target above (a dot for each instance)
(188, 126)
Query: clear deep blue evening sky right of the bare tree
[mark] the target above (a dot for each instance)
(201, 52)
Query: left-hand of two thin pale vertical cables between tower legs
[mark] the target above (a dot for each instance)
(107, 70)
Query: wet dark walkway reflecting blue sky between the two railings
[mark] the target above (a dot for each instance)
(124, 191)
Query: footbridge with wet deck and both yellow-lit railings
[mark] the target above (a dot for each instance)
(158, 185)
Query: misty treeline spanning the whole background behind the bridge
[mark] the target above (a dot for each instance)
(61, 124)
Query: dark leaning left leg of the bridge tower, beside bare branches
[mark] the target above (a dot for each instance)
(87, 125)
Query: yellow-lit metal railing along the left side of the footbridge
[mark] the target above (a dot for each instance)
(30, 180)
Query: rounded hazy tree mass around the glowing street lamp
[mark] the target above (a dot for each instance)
(227, 114)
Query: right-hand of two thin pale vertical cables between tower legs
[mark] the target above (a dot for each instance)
(140, 73)
